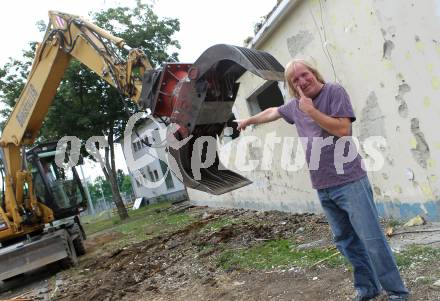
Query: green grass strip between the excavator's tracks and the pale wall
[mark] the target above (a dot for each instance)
(142, 223)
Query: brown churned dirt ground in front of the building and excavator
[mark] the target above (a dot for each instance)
(184, 264)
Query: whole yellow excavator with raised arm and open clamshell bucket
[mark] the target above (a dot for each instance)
(41, 202)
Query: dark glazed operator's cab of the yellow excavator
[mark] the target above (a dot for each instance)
(58, 188)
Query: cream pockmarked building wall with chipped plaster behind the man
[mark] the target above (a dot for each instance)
(386, 53)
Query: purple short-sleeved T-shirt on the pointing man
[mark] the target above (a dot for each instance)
(326, 169)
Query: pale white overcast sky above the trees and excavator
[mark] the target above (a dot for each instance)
(202, 24)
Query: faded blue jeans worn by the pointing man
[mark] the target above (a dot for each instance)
(352, 216)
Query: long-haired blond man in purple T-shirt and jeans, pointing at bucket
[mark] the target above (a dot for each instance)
(321, 110)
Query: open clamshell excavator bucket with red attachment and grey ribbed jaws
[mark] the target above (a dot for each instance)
(198, 98)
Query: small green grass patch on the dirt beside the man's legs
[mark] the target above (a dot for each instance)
(276, 253)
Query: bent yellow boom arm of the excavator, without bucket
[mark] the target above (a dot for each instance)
(70, 37)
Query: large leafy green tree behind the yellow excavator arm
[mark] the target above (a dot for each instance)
(86, 105)
